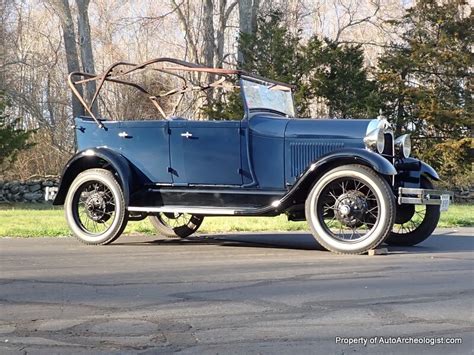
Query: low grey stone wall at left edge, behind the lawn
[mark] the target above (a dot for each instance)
(31, 191)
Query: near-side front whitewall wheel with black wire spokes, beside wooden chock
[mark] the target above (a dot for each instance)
(350, 209)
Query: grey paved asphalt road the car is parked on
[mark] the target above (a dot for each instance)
(258, 293)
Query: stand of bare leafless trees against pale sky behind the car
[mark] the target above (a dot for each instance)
(37, 54)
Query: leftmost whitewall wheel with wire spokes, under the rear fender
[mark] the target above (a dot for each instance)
(95, 207)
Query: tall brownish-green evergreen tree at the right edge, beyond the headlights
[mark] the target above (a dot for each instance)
(426, 82)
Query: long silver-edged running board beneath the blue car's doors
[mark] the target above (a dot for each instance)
(216, 211)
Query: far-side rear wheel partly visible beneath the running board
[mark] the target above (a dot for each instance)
(176, 225)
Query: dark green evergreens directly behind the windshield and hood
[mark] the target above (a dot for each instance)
(325, 69)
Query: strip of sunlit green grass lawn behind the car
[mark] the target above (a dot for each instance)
(36, 220)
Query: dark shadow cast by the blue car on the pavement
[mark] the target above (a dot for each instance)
(444, 243)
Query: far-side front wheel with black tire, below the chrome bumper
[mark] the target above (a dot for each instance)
(414, 223)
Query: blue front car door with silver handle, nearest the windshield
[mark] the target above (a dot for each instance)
(205, 152)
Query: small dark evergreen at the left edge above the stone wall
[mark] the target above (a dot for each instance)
(11, 139)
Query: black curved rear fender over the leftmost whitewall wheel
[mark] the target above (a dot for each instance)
(95, 158)
